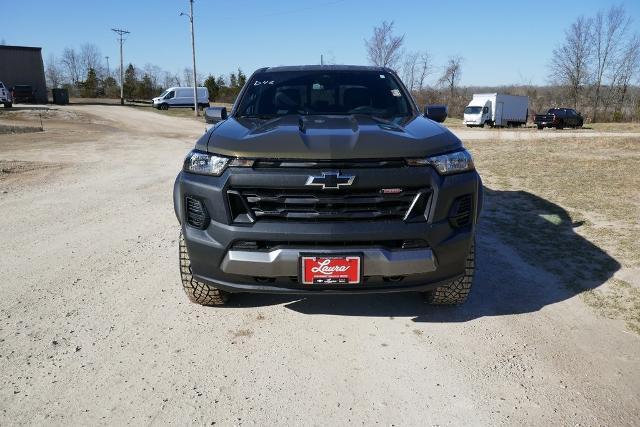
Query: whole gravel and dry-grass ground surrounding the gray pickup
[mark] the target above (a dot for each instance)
(94, 327)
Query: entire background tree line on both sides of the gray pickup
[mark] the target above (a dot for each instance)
(593, 69)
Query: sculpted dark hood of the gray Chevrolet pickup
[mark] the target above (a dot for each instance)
(328, 137)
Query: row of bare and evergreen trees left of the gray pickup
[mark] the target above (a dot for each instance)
(86, 73)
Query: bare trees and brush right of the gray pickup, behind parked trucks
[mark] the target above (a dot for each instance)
(592, 70)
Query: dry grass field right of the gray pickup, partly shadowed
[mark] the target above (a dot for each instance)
(572, 205)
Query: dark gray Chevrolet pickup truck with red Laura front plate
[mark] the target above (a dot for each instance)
(327, 179)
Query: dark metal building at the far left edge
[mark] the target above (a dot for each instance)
(22, 65)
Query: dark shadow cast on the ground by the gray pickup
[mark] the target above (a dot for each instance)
(529, 256)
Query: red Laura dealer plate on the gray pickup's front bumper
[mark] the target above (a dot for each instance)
(331, 269)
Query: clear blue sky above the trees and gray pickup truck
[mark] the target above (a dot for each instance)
(502, 42)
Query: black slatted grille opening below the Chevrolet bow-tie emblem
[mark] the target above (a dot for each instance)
(317, 205)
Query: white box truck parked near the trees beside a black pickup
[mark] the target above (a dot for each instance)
(496, 109)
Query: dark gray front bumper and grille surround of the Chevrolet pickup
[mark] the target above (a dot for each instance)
(215, 260)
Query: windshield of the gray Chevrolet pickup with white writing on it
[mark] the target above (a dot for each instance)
(340, 92)
